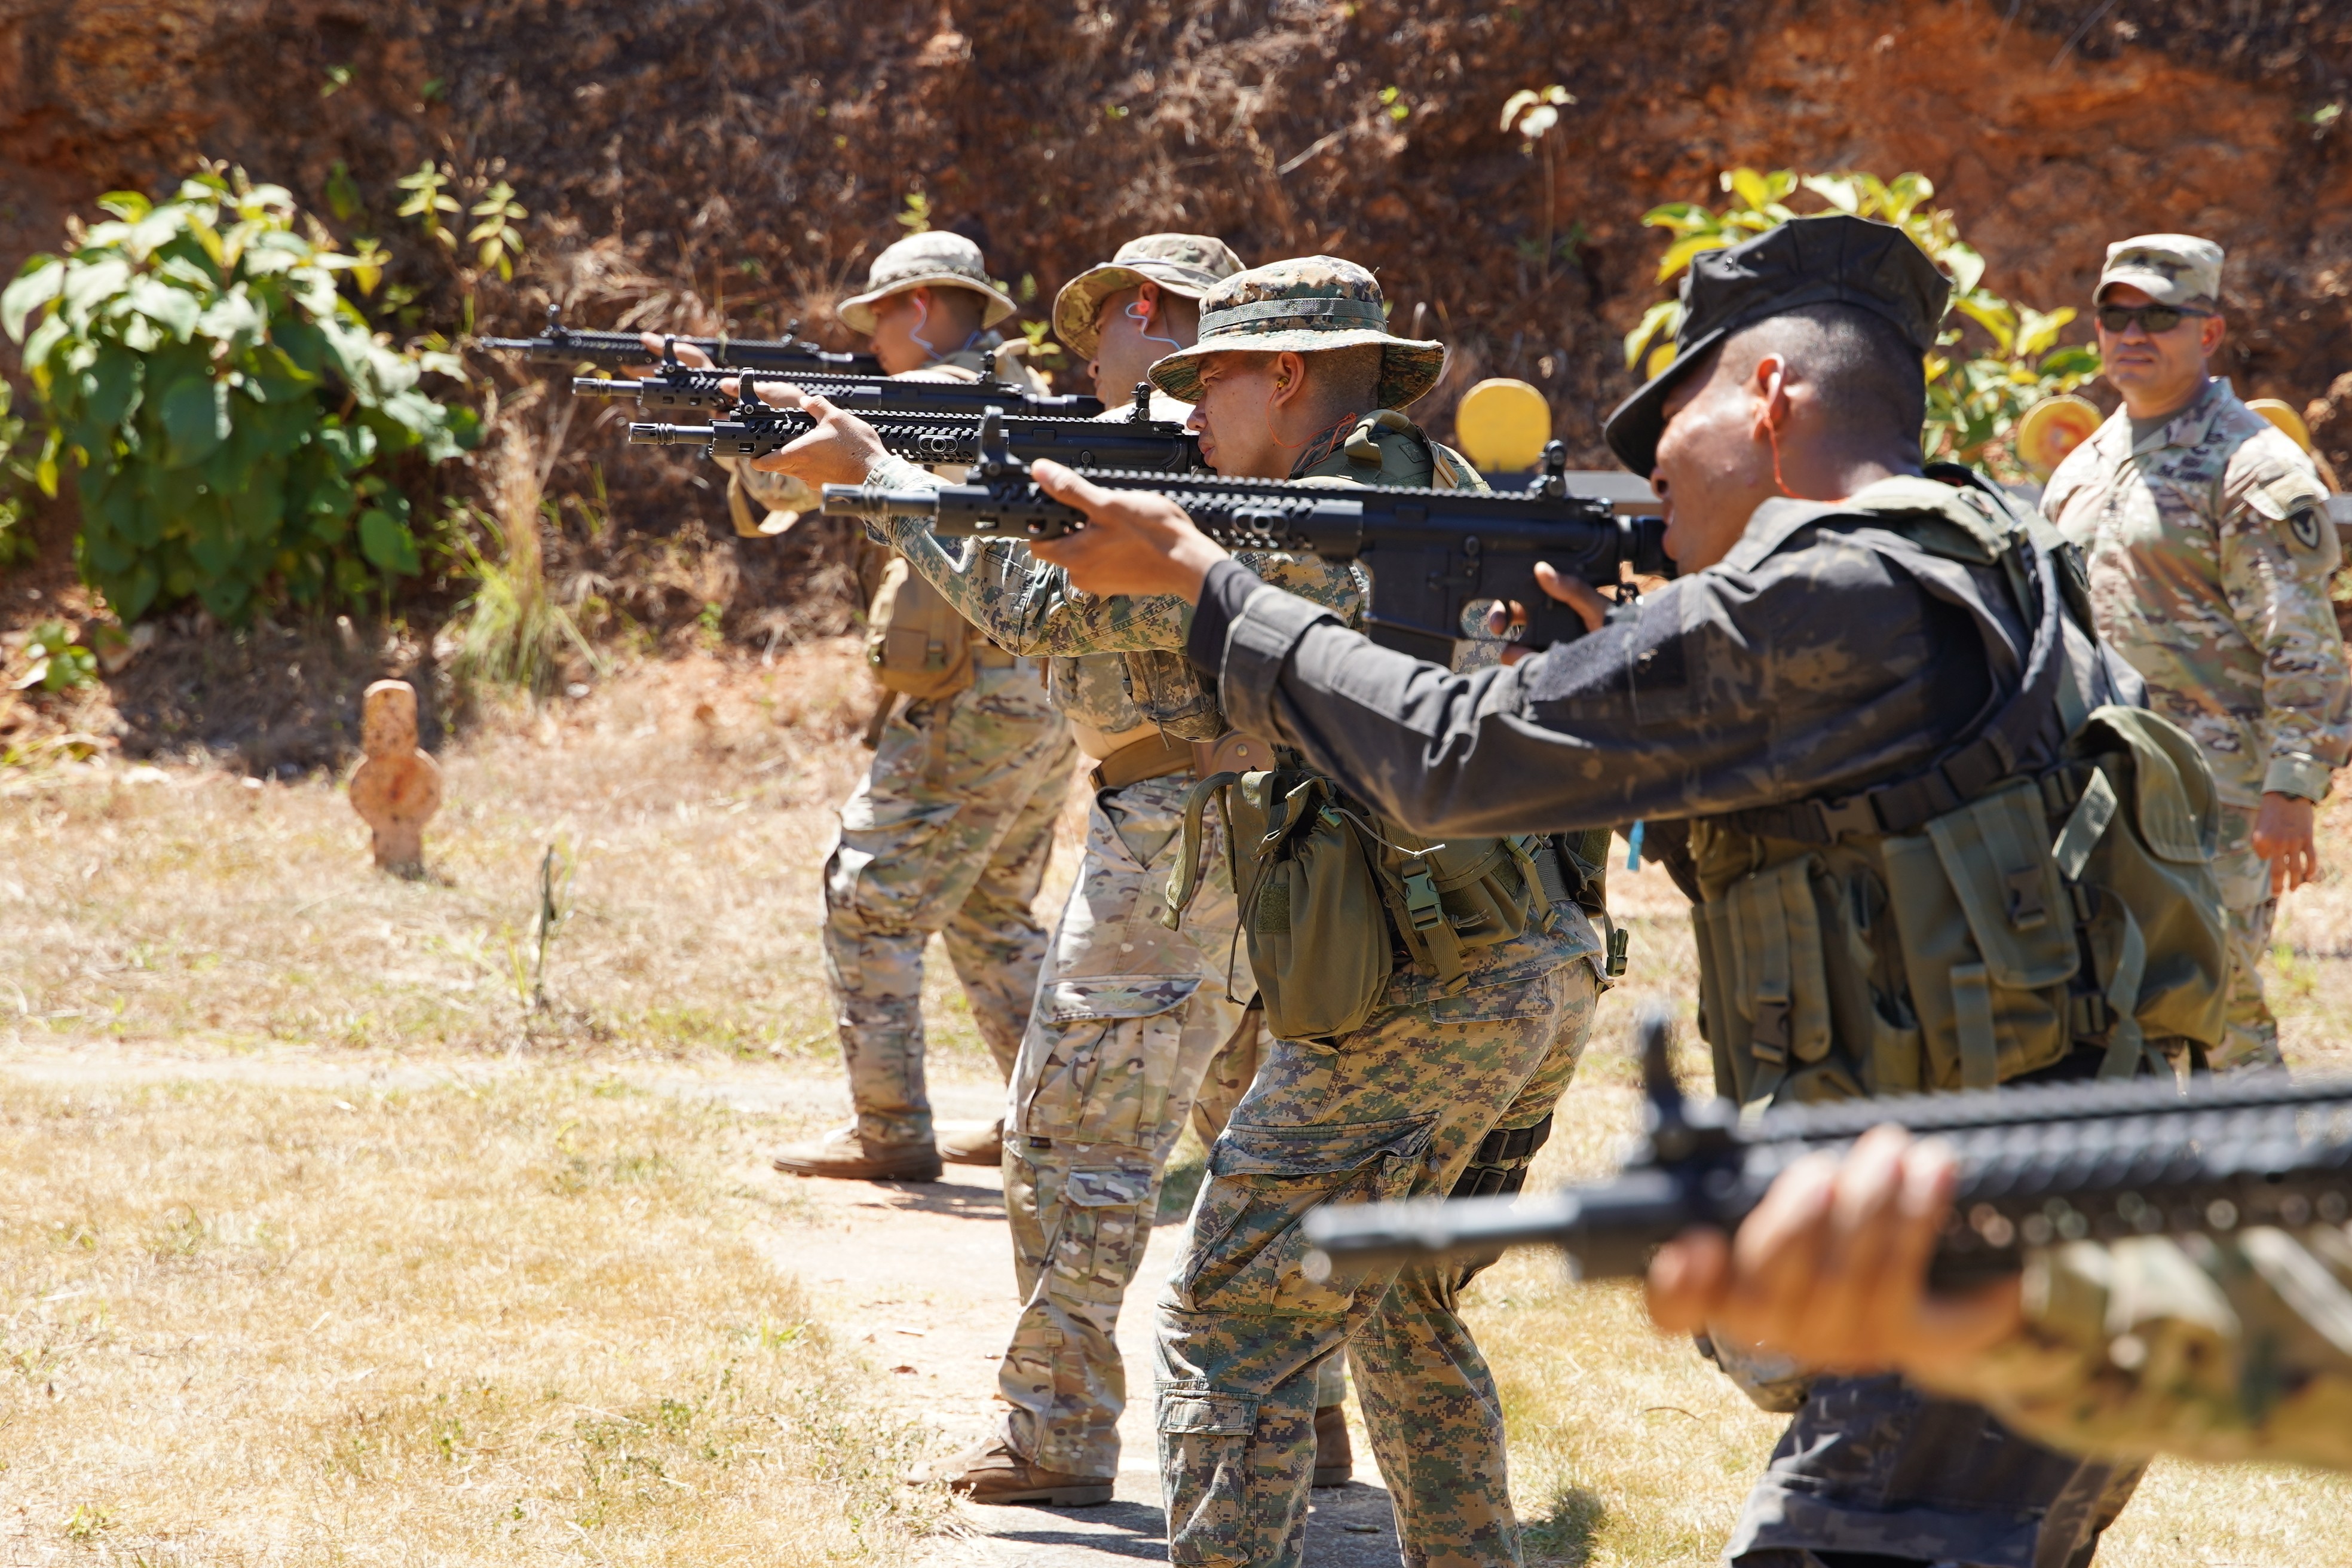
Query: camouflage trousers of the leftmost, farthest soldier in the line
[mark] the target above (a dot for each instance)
(949, 833)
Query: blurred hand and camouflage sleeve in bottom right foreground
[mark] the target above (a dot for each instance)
(2214, 1348)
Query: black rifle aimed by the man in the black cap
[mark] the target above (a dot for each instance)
(1436, 556)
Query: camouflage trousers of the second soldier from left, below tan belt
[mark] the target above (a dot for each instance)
(1135, 1031)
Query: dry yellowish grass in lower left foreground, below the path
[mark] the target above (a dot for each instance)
(505, 1325)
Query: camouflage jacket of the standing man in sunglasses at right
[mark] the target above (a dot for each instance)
(2210, 558)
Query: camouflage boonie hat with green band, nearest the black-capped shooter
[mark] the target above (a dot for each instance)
(1311, 304)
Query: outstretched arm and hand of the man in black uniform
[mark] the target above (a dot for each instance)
(1725, 690)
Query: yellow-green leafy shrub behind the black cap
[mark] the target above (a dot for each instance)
(1975, 398)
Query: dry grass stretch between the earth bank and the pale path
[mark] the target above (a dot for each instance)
(194, 909)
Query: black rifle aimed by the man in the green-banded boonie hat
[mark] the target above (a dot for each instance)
(930, 438)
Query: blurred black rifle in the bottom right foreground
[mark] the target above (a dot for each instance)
(2038, 1165)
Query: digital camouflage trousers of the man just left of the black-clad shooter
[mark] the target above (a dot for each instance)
(1396, 1111)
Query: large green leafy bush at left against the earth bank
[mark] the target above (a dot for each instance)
(229, 406)
